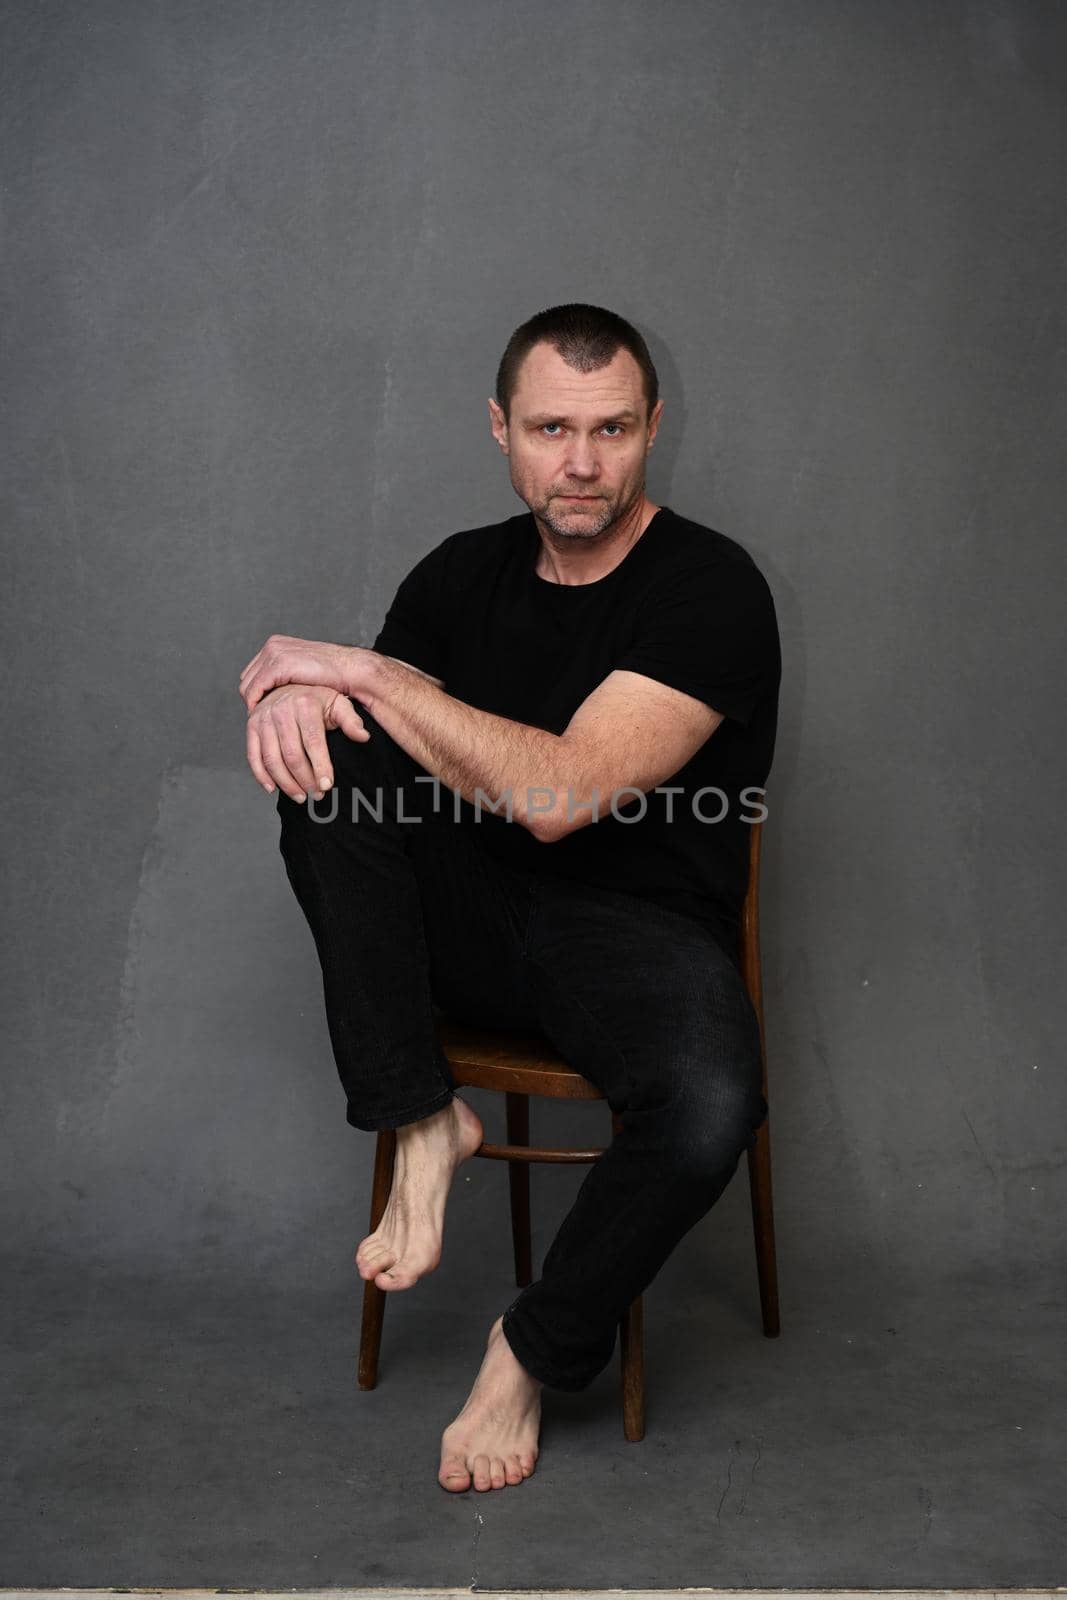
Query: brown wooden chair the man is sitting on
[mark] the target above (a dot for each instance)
(521, 1066)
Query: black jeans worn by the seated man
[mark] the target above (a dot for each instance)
(410, 913)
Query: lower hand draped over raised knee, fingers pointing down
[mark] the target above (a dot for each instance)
(287, 738)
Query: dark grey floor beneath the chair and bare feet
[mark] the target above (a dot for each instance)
(198, 1425)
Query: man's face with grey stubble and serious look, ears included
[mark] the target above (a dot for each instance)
(577, 442)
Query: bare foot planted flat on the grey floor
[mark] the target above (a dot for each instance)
(495, 1438)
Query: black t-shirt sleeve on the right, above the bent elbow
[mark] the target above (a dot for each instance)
(711, 633)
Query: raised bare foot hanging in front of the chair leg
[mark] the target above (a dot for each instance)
(407, 1244)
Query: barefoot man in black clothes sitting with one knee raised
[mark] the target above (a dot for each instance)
(543, 775)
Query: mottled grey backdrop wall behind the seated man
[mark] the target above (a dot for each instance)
(262, 263)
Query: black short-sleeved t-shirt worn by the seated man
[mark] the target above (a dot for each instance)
(689, 607)
